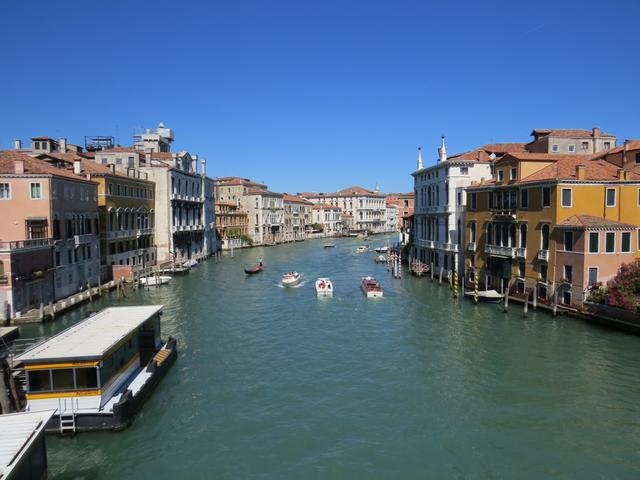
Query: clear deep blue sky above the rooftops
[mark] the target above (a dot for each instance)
(318, 95)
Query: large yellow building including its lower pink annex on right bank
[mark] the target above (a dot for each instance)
(551, 224)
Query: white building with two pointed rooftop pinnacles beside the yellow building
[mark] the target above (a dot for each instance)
(440, 201)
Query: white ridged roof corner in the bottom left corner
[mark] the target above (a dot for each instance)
(19, 432)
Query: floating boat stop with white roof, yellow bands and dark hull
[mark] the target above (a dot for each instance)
(97, 373)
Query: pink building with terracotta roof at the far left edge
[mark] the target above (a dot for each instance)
(49, 246)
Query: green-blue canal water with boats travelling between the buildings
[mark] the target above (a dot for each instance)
(276, 383)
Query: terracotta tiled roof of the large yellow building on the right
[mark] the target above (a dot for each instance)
(564, 168)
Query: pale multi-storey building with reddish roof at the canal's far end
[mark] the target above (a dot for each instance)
(366, 206)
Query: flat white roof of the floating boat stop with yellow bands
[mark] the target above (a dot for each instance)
(93, 337)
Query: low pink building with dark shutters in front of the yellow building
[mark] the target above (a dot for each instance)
(590, 250)
